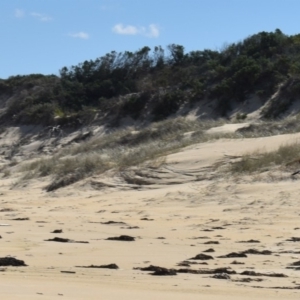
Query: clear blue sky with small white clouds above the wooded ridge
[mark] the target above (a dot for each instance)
(42, 36)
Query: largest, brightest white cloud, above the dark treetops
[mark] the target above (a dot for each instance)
(152, 31)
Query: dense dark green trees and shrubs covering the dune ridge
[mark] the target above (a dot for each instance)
(159, 80)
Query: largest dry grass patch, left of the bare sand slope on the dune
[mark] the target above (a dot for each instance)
(119, 150)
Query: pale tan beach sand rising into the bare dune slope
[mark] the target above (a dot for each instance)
(182, 216)
